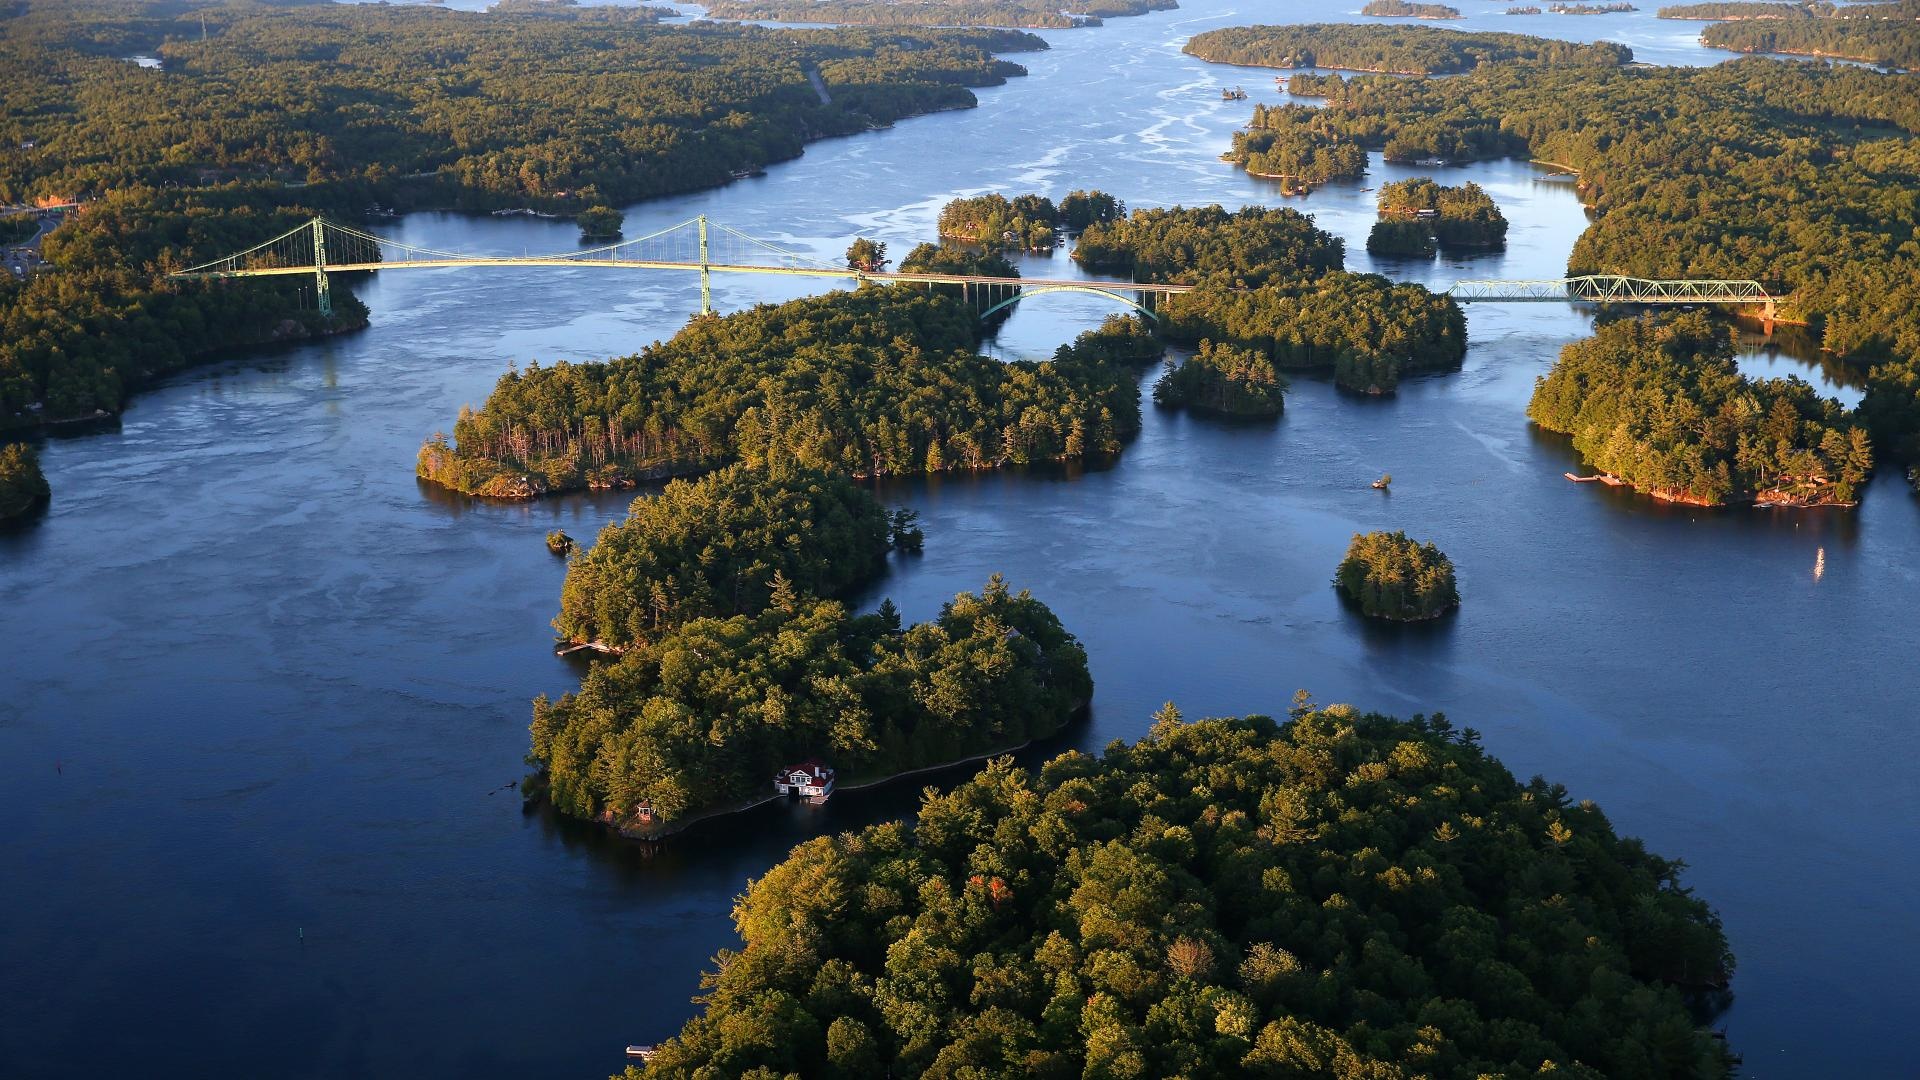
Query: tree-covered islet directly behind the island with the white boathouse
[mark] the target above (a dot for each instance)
(713, 549)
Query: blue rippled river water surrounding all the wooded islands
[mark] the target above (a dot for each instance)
(266, 697)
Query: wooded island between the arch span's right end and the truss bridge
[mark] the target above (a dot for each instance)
(1272, 282)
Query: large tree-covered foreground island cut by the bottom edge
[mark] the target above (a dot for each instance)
(1339, 895)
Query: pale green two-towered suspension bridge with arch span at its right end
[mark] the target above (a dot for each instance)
(698, 245)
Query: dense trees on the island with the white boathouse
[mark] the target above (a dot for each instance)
(704, 716)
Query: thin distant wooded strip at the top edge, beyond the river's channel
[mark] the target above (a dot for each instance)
(1030, 14)
